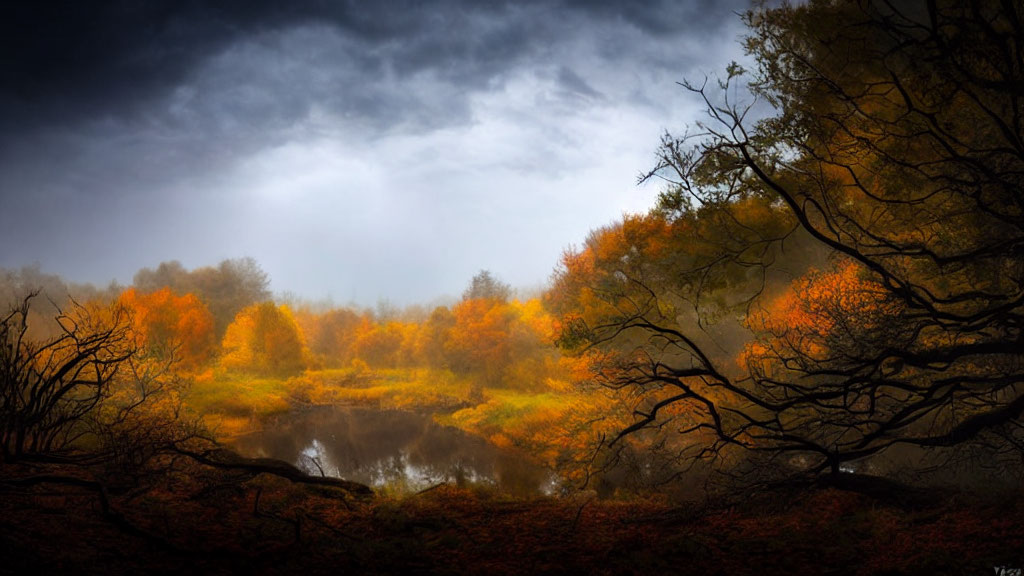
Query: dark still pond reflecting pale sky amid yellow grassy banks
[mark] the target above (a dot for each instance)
(398, 450)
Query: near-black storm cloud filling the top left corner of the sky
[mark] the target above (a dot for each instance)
(67, 60)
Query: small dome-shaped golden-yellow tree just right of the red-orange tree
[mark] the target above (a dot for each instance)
(265, 340)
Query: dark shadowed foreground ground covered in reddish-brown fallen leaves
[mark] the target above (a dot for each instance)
(211, 522)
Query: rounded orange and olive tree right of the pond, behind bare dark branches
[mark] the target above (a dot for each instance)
(629, 301)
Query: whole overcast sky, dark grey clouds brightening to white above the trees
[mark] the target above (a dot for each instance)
(359, 151)
